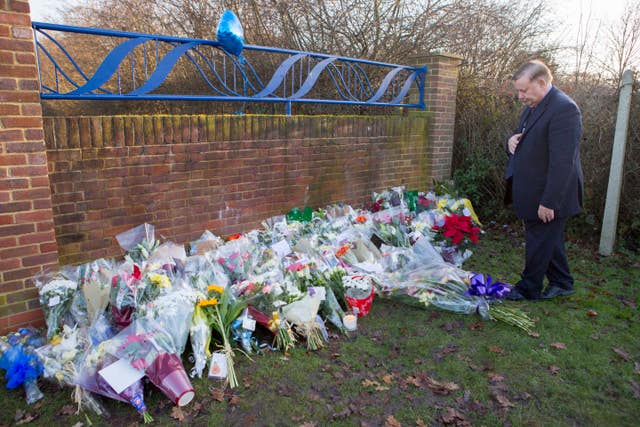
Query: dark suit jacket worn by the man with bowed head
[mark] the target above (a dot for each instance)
(545, 168)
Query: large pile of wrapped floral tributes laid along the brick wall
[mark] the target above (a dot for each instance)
(276, 288)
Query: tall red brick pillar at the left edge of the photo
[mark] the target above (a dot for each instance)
(27, 238)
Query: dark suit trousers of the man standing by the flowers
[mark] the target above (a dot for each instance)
(545, 255)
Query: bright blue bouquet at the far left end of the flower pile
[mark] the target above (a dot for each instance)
(21, 364)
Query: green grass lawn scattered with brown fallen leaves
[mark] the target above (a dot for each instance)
(410, 366)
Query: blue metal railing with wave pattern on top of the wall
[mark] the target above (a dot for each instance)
(141, 66)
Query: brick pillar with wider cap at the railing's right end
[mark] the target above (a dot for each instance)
(441, 85)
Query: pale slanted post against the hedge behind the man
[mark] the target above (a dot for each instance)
(610, 220)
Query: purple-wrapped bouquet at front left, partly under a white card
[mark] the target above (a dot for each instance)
(90, 379)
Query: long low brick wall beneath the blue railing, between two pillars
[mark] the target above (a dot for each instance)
(226, 174)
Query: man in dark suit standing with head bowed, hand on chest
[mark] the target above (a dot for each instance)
(544, 180)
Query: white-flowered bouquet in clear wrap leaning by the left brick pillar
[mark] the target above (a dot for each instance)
(56, 296)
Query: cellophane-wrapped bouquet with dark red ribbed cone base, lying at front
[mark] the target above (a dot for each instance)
(149, 348)
